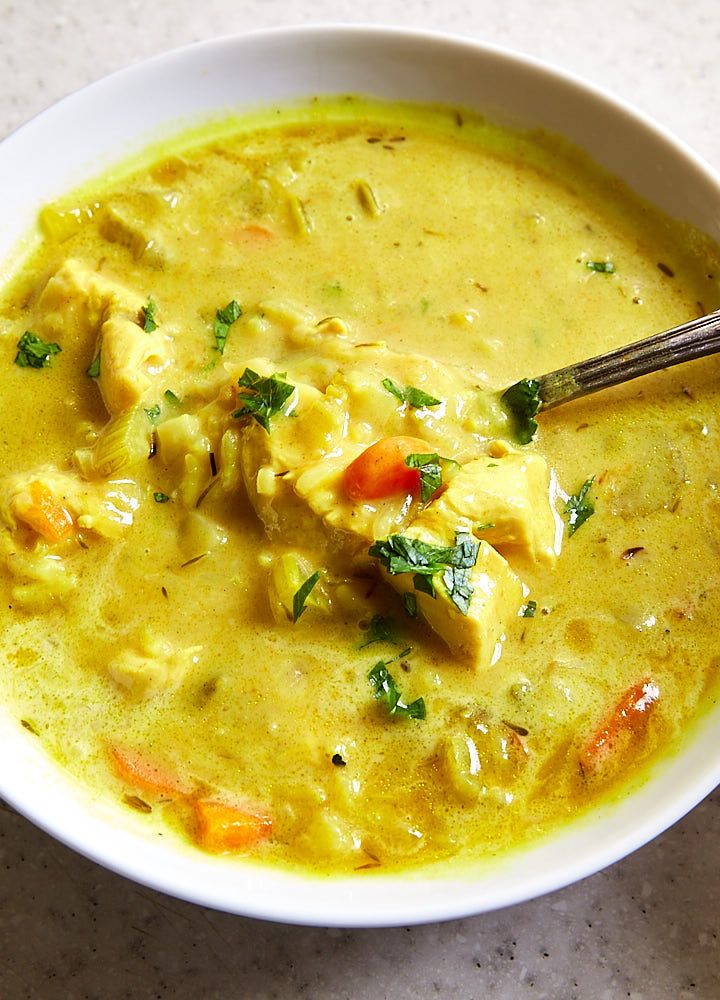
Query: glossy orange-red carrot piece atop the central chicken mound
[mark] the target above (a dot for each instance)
(380, 470)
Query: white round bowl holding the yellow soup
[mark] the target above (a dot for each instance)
(78, 138)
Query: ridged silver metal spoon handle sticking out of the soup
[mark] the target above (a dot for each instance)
(691, 340)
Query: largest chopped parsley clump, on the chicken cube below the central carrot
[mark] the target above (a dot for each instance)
(400, 554)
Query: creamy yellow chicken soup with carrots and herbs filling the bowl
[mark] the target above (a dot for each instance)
(278, 575)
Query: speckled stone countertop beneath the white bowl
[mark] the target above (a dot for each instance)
(647, 928)
